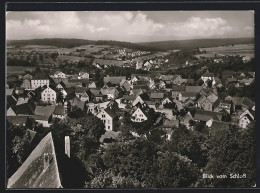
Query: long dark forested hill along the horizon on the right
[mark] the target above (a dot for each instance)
(197, 43)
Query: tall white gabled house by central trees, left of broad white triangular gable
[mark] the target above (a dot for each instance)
(108, 117)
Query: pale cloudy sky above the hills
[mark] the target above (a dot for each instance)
(130, 26)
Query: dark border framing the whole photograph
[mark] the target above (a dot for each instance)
(131, 6)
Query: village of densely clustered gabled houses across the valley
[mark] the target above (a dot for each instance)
(43, 97)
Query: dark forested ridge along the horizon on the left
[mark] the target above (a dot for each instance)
(70, 43)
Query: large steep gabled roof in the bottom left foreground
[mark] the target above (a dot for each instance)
(32, 174)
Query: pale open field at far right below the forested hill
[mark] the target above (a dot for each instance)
(230, 50)
